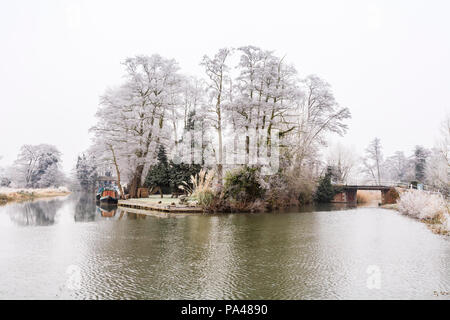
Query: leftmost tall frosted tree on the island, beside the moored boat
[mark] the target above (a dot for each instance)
(132, 117)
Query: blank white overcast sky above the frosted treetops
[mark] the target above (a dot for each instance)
(388, 61)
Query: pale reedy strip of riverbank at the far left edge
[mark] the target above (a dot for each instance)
(25, 194)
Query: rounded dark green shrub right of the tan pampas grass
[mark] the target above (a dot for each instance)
(243, 185)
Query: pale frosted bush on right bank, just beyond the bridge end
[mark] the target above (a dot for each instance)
(422, 205)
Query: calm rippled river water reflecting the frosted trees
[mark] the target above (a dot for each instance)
(67, 248)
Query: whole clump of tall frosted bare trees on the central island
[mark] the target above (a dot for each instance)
(248, 93)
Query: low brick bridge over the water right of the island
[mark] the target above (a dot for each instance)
(348, 194)
